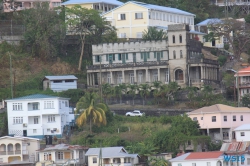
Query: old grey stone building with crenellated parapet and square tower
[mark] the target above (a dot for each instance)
(179, 59)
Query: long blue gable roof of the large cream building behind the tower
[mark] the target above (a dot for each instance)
(156, 7)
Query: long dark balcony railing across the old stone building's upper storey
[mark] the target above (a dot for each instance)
(130, 64)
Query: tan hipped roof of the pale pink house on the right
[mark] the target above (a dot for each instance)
(219, 108)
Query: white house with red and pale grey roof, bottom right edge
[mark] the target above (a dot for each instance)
(214, 158)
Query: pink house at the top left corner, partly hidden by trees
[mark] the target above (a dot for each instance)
(16, 5)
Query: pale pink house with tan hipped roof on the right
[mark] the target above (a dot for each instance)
(219, 121)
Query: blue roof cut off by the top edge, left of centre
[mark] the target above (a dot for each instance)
(74, 2)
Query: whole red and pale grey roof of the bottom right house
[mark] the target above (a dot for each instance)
(198, 156)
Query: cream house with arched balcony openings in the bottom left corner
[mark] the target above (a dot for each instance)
(18, 150)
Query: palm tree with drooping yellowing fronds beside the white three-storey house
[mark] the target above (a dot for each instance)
(93, 111)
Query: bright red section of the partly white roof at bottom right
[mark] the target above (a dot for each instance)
(204, 155)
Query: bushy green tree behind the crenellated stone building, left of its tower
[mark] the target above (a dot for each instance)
(154, 34)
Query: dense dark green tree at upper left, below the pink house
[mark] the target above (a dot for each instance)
(44, 29)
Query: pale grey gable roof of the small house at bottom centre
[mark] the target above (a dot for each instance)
(110, 152)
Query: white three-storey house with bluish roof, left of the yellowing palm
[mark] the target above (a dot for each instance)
(38, 115)
